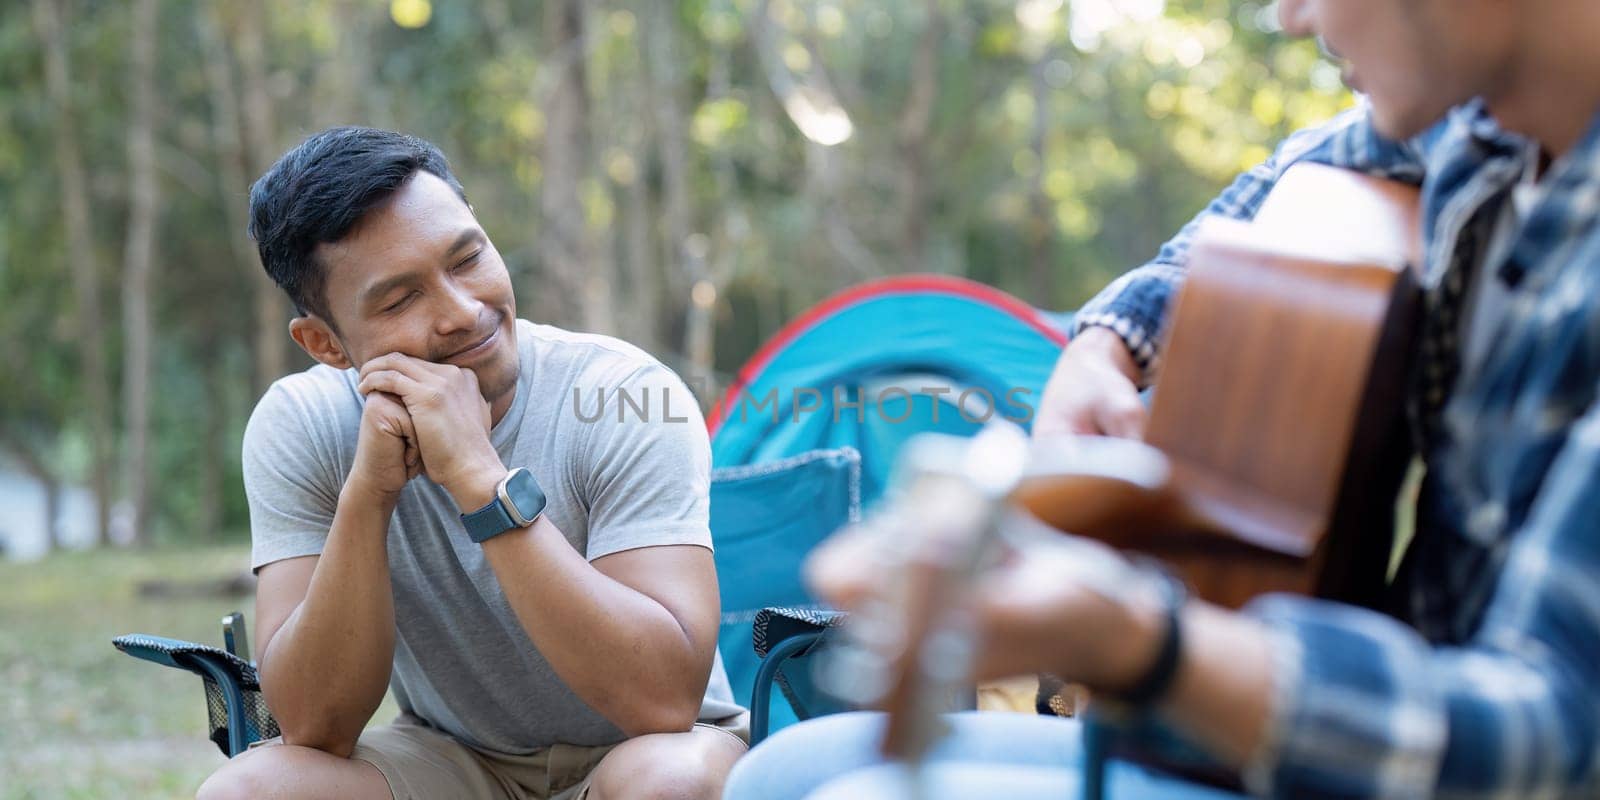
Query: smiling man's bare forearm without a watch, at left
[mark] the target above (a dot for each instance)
(326, 671)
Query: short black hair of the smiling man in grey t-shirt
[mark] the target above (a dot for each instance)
(321, 190)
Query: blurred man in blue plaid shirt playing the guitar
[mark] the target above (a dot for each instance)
(1487, 682)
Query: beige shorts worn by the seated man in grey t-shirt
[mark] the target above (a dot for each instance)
(422, 764)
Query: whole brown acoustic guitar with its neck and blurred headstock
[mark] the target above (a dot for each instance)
(1271, 462)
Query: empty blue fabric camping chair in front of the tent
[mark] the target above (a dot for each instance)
(764, 519)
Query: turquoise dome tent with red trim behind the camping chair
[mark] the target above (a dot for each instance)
(882, 362)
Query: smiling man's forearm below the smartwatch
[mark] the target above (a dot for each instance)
(618, 649)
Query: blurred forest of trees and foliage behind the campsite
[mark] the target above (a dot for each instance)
(687, 175)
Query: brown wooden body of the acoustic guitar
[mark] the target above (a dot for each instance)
(1279, 401)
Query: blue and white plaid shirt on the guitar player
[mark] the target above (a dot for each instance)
(1492, 686)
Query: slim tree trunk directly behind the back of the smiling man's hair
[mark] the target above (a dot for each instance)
(260, 137)
